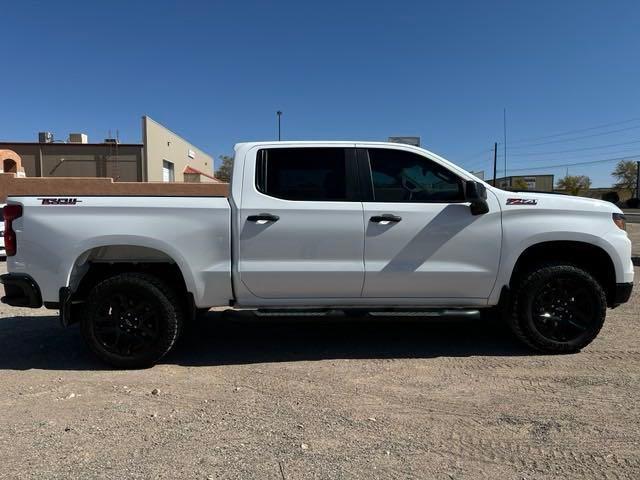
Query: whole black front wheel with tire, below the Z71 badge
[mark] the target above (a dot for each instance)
(557, 308)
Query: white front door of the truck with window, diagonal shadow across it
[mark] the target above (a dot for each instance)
(421, 240)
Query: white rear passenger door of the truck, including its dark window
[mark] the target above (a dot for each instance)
(301, 227)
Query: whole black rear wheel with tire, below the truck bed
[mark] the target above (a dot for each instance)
(131, 320)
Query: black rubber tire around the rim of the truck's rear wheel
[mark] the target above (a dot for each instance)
(166, 314)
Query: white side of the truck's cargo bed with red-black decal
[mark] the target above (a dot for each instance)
(59, 236)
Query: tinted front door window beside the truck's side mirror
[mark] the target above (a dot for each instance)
(400, 176)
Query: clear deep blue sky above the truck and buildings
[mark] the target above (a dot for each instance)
(216, 72)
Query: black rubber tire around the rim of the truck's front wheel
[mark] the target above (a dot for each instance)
(520, 312)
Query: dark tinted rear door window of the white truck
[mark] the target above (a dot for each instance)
(302, 173)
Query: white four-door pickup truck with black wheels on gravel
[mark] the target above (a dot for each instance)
(319, 225)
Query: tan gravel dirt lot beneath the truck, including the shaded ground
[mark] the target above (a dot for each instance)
(322, 398)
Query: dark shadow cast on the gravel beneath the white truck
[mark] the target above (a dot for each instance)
(241, 338)
